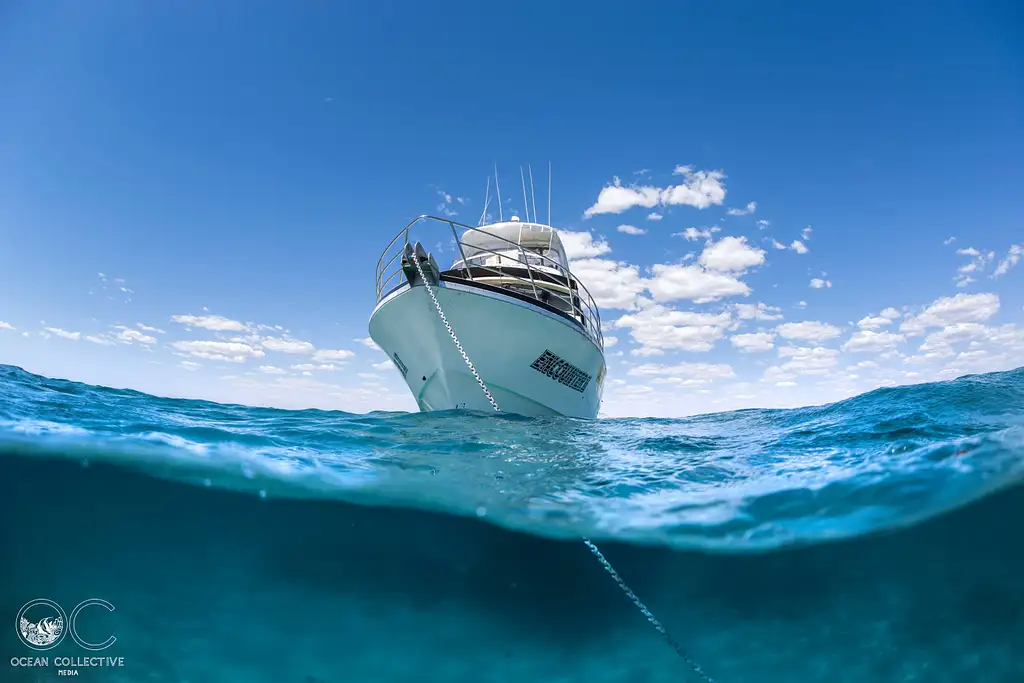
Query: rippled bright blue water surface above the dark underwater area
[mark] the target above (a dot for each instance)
(746, 481)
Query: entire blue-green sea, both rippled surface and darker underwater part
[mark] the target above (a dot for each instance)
(878, 539)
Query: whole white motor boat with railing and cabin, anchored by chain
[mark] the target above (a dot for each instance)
(506, 325)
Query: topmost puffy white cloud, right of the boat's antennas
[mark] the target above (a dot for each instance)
(700, 190)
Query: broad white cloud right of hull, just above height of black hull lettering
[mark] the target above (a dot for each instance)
(658, 328)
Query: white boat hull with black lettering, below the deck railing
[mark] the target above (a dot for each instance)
(534, 362)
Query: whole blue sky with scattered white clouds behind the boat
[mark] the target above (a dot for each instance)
(234, 170)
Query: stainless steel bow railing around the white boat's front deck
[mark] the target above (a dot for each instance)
(566, 288)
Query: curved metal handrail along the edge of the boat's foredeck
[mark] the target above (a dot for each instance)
(580, 302)
